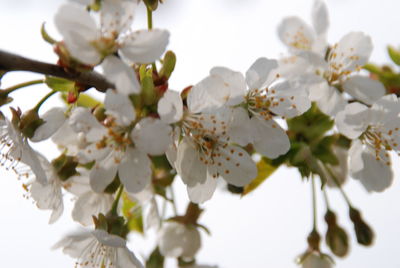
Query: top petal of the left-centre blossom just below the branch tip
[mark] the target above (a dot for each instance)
(120, 107)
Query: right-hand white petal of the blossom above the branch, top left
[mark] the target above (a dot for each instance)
(145, 46)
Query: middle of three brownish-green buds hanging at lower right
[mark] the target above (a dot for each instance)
(336, 237)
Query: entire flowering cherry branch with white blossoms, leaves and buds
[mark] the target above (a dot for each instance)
(321, 109)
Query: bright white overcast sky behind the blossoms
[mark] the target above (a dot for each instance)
(268, 228)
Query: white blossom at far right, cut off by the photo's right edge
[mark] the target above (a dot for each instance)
(374, 131)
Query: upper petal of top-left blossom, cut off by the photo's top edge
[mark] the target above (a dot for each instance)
(117, 16)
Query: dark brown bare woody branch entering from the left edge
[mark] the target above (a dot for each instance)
(12, 62)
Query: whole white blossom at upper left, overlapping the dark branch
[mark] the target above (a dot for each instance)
(91, 44)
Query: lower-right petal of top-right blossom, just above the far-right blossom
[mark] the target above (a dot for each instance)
(364, 88)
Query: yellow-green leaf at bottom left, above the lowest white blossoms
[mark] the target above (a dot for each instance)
(133, 213)
